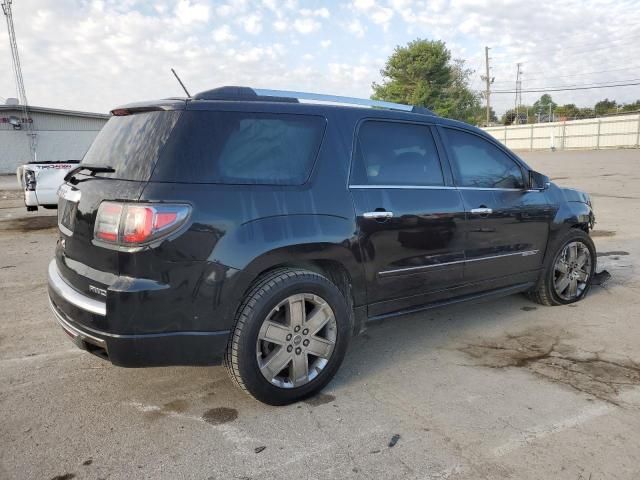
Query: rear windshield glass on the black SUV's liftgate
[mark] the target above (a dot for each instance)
(131, 144)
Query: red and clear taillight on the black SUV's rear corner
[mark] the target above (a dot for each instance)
(133, 224)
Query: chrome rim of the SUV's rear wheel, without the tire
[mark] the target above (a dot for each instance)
(296, 340)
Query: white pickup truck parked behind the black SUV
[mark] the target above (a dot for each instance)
(40, 182)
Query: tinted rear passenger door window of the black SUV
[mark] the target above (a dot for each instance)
(389, 153)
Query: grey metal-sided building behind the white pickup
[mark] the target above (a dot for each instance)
(59, 134)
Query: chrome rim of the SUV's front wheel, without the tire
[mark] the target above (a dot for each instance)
(572, 271)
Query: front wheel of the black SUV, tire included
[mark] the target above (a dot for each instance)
(568, 271)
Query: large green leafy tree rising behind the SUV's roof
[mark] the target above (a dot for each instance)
(424, 74)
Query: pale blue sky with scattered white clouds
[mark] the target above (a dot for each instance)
(94, 55)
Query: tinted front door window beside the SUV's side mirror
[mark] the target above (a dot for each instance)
(478, 163)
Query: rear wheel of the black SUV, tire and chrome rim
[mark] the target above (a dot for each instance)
(291, 334)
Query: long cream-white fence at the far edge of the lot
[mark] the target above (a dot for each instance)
(590, 134)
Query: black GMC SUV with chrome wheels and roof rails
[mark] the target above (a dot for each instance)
(250, 227)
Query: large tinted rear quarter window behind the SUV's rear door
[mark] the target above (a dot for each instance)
(241, 148)
